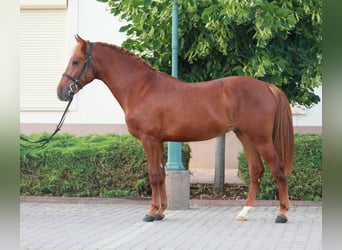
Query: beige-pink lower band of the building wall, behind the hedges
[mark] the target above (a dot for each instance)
(202, 153)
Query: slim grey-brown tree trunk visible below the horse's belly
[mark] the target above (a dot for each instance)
(219, 164)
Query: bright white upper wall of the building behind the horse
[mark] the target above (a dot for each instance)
(94, 103)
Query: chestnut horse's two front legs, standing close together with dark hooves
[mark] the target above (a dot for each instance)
(154, 152)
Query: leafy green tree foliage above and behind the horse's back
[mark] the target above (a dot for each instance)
(276, 41)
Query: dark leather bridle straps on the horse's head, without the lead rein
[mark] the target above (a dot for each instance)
(76, 81)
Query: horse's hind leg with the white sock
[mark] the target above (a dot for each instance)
(256, 171)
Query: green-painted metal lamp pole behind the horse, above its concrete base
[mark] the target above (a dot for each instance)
(174, 159)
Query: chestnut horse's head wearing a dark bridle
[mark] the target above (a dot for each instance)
(78, 73)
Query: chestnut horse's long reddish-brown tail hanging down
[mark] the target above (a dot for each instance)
(283, 137)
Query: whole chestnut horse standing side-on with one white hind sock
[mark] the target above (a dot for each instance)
(159, 107)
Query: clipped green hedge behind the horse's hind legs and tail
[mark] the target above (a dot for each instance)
(305, 181)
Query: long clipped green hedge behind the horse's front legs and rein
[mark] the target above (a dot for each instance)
(89, 166)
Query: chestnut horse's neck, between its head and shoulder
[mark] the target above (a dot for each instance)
(125, 76)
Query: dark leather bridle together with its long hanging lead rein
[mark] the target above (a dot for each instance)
(73, 87)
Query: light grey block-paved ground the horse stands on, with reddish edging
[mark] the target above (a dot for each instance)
(117, 224)
